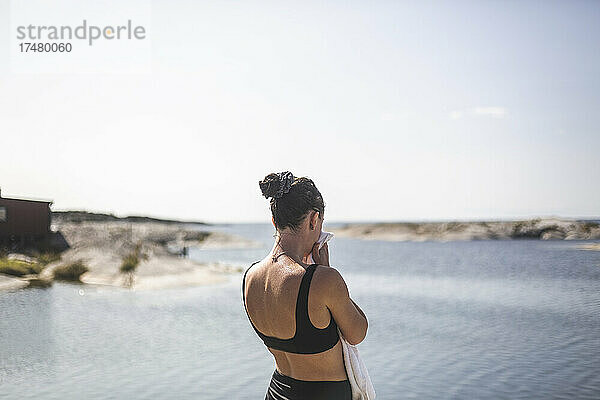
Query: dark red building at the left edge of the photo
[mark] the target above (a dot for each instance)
(23, 220)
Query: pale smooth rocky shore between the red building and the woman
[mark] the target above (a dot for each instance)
(103, 245)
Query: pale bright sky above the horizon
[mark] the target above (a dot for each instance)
(397, 110)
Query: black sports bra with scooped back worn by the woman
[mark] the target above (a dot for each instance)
(308, 339)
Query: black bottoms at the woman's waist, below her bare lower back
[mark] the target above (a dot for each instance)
(283, 387)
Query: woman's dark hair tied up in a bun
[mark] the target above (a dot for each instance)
(291, 204)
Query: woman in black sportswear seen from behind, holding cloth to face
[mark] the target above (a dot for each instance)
(296, 308)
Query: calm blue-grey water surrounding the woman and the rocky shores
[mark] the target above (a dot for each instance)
(458, 320)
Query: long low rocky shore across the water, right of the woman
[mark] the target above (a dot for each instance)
(543, 229)
